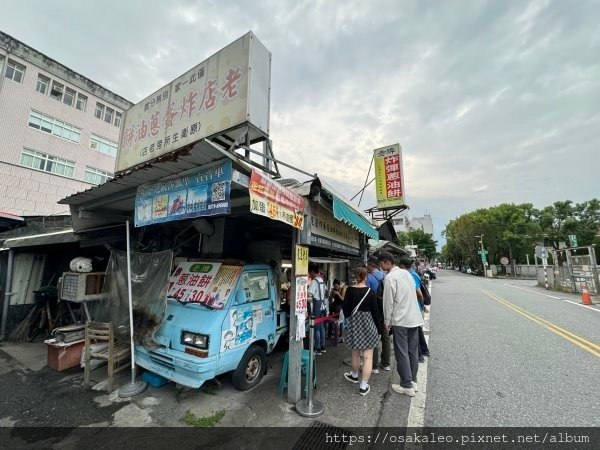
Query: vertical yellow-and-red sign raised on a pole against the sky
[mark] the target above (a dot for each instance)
(389, 177)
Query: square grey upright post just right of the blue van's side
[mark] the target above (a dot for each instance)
(296, 347)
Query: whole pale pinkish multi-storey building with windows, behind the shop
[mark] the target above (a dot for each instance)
(58, 131)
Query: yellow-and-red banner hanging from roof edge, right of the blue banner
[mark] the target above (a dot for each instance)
(270, 199)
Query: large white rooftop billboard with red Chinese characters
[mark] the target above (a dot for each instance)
(211, 97)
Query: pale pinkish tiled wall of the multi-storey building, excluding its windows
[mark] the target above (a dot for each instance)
(25, 191)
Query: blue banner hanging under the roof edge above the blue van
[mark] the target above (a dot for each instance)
(205, 192)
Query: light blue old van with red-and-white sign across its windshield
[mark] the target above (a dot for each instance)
(219, 318)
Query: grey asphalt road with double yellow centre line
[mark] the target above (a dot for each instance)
(497, 358)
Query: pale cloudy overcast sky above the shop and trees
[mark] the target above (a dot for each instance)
(491, 101)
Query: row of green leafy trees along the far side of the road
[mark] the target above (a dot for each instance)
(513, 230)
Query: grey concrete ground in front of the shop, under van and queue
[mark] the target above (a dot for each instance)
(168, 405)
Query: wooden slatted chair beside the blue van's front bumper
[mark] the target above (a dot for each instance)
(117, 354)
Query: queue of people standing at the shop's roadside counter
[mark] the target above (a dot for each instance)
(386, 305)
